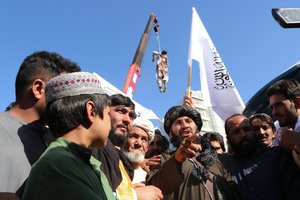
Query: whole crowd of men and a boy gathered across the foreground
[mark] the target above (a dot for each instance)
(65, 138)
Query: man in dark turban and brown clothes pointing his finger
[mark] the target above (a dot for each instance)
(192, 171)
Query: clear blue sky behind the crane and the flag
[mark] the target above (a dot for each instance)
(102, 37)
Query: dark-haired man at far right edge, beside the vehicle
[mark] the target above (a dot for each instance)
(284, 99)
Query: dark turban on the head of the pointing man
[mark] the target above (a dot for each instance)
(179, 111)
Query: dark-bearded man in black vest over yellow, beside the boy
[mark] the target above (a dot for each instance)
(115, 164)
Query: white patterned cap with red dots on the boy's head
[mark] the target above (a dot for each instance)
(72, 84)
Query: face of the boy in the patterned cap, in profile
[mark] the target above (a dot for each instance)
(102, 127)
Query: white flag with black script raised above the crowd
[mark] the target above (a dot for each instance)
(217, 86)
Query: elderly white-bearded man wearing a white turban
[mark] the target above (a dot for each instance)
(139, 137)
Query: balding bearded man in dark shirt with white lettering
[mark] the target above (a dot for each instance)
(261, 172)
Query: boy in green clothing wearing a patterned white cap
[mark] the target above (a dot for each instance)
(77, 113)
